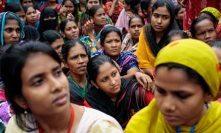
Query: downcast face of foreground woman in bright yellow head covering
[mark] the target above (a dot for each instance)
(180, 99)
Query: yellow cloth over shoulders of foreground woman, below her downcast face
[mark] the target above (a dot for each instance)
(150, 120)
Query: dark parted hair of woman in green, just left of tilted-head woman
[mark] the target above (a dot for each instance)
(72, 43)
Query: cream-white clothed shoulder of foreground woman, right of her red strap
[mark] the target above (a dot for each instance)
(99, 122)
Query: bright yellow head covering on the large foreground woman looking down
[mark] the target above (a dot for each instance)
(196, 55)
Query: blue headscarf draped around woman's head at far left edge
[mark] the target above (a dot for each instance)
(3, 18)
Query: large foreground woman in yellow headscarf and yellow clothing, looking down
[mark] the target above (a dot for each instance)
(186, 78)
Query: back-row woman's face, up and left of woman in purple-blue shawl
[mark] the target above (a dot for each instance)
(100, 17)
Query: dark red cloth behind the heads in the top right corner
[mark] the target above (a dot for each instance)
(193, 8)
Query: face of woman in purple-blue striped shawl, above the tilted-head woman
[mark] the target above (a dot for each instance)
(112, 44)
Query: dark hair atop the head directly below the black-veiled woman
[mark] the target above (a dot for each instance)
(49, 36)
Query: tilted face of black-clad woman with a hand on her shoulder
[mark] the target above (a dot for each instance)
(108, 79)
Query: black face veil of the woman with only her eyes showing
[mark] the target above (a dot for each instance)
(46, 13)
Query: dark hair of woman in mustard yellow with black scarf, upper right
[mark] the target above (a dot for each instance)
(170, 7)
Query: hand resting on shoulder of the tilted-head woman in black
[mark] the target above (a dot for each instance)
(144, 80)
